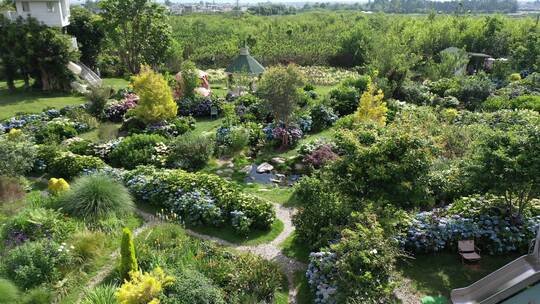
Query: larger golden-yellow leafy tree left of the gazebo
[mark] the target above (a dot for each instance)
(155, 97)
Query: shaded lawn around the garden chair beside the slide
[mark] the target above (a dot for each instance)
(440, 273)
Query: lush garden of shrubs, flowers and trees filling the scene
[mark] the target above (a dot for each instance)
(347, 175)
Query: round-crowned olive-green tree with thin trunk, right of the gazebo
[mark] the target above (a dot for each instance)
(280, 87)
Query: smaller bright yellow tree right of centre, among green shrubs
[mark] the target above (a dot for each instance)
(372, 108)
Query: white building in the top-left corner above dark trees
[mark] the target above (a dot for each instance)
(53, 13)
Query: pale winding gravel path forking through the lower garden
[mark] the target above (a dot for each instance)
(269, 251)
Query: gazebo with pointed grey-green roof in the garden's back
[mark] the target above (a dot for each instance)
(244, 66)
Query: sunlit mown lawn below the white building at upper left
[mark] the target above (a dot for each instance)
(22, 101)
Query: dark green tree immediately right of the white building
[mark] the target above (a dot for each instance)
(88, 30)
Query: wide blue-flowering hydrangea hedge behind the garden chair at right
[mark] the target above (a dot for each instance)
(491, 227)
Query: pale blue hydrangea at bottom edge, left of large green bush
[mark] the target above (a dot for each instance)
(320, 274)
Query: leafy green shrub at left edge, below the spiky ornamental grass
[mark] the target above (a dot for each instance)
(34, 224)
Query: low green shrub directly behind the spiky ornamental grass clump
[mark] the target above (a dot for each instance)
(68, 165)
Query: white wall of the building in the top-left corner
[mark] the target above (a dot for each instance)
(40, 11)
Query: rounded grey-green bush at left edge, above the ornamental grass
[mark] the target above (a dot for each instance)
(16, 156)
